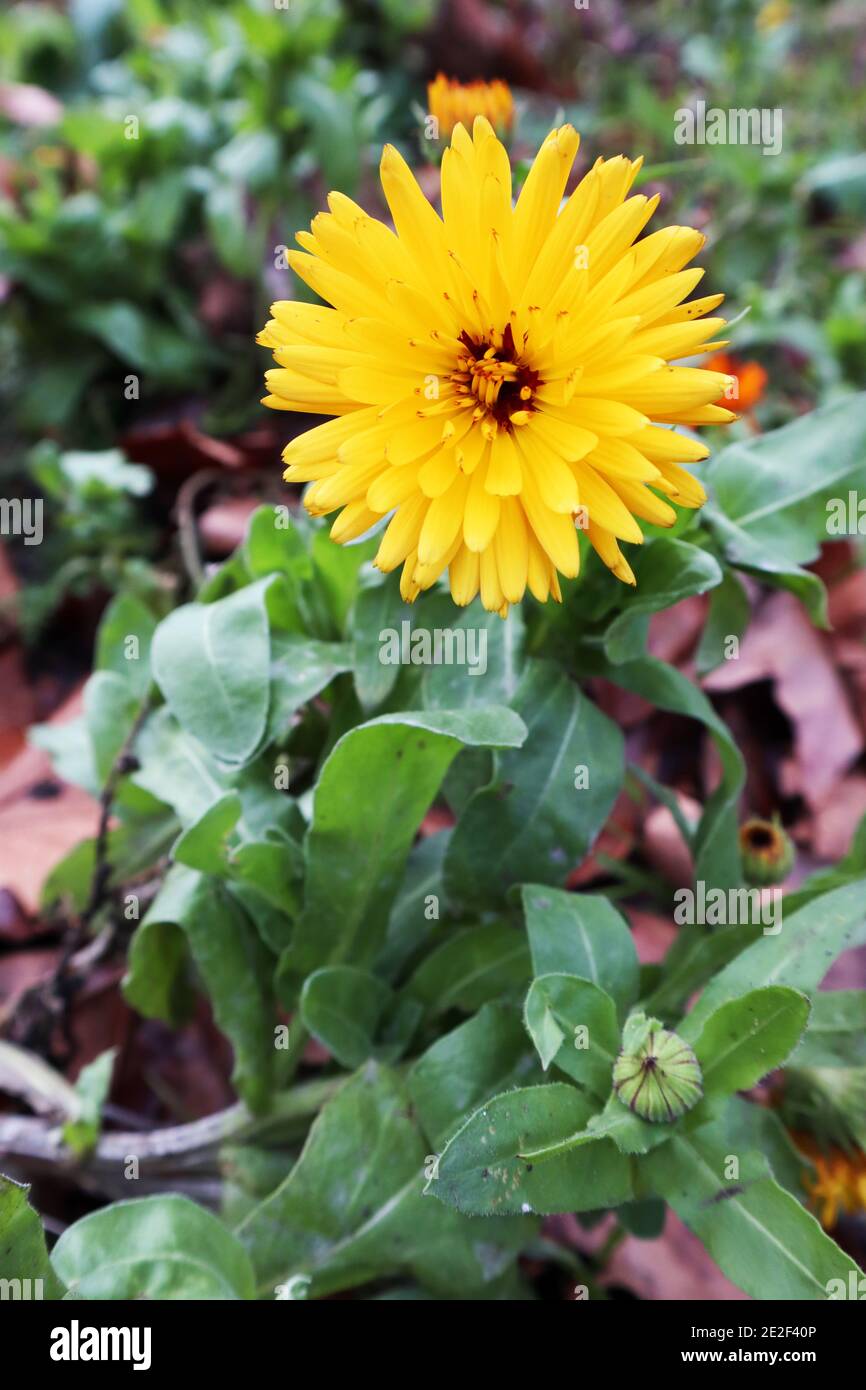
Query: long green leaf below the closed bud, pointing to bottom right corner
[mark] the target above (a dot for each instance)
(755, 1231)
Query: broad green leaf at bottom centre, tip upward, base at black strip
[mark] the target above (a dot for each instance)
(336, 1235)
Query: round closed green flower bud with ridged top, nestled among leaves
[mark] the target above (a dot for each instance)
(657, 1075)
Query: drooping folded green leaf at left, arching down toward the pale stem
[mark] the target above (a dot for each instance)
(234, 967)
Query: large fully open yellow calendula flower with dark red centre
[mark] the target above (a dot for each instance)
(501, 375)
